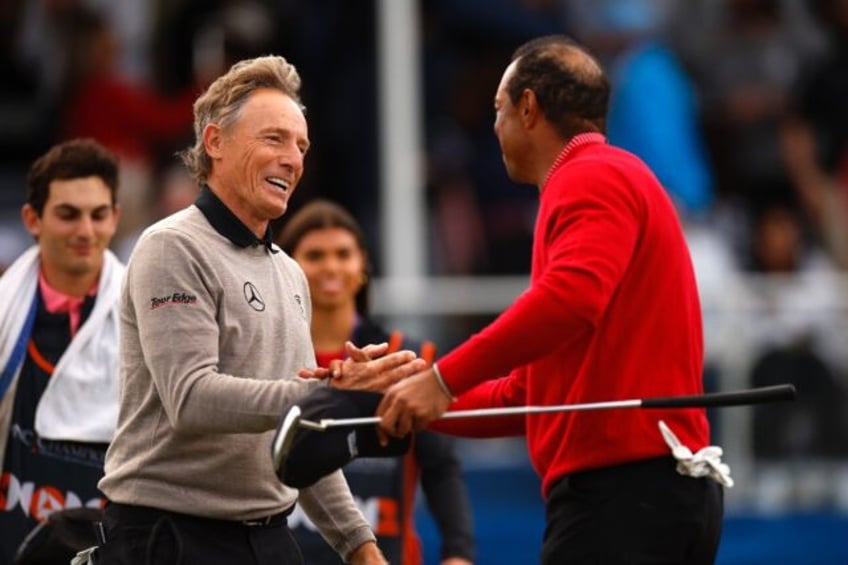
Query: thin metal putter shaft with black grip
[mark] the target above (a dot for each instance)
(761, 395)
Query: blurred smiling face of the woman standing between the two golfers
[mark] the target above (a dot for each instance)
(334, 265)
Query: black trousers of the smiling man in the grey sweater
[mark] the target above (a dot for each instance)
(139, 535)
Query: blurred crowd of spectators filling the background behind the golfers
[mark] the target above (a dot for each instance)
(739, 106)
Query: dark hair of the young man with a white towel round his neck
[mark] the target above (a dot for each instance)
(74, 159)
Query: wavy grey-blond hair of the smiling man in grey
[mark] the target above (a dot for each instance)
(225, 97)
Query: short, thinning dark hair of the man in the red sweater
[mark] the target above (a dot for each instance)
(570, 85)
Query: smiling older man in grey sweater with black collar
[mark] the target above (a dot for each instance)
(215, 326)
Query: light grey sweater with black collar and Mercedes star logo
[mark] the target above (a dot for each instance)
(213, 330)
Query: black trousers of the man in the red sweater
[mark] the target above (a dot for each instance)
(638, 513)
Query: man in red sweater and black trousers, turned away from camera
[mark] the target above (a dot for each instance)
(612, 312)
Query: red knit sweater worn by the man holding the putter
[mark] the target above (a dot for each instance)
(612, 313)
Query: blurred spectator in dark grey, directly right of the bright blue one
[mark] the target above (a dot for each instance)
(746, 63)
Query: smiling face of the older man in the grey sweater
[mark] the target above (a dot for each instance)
(257, 160)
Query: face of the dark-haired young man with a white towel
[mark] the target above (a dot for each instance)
(74, 229)
